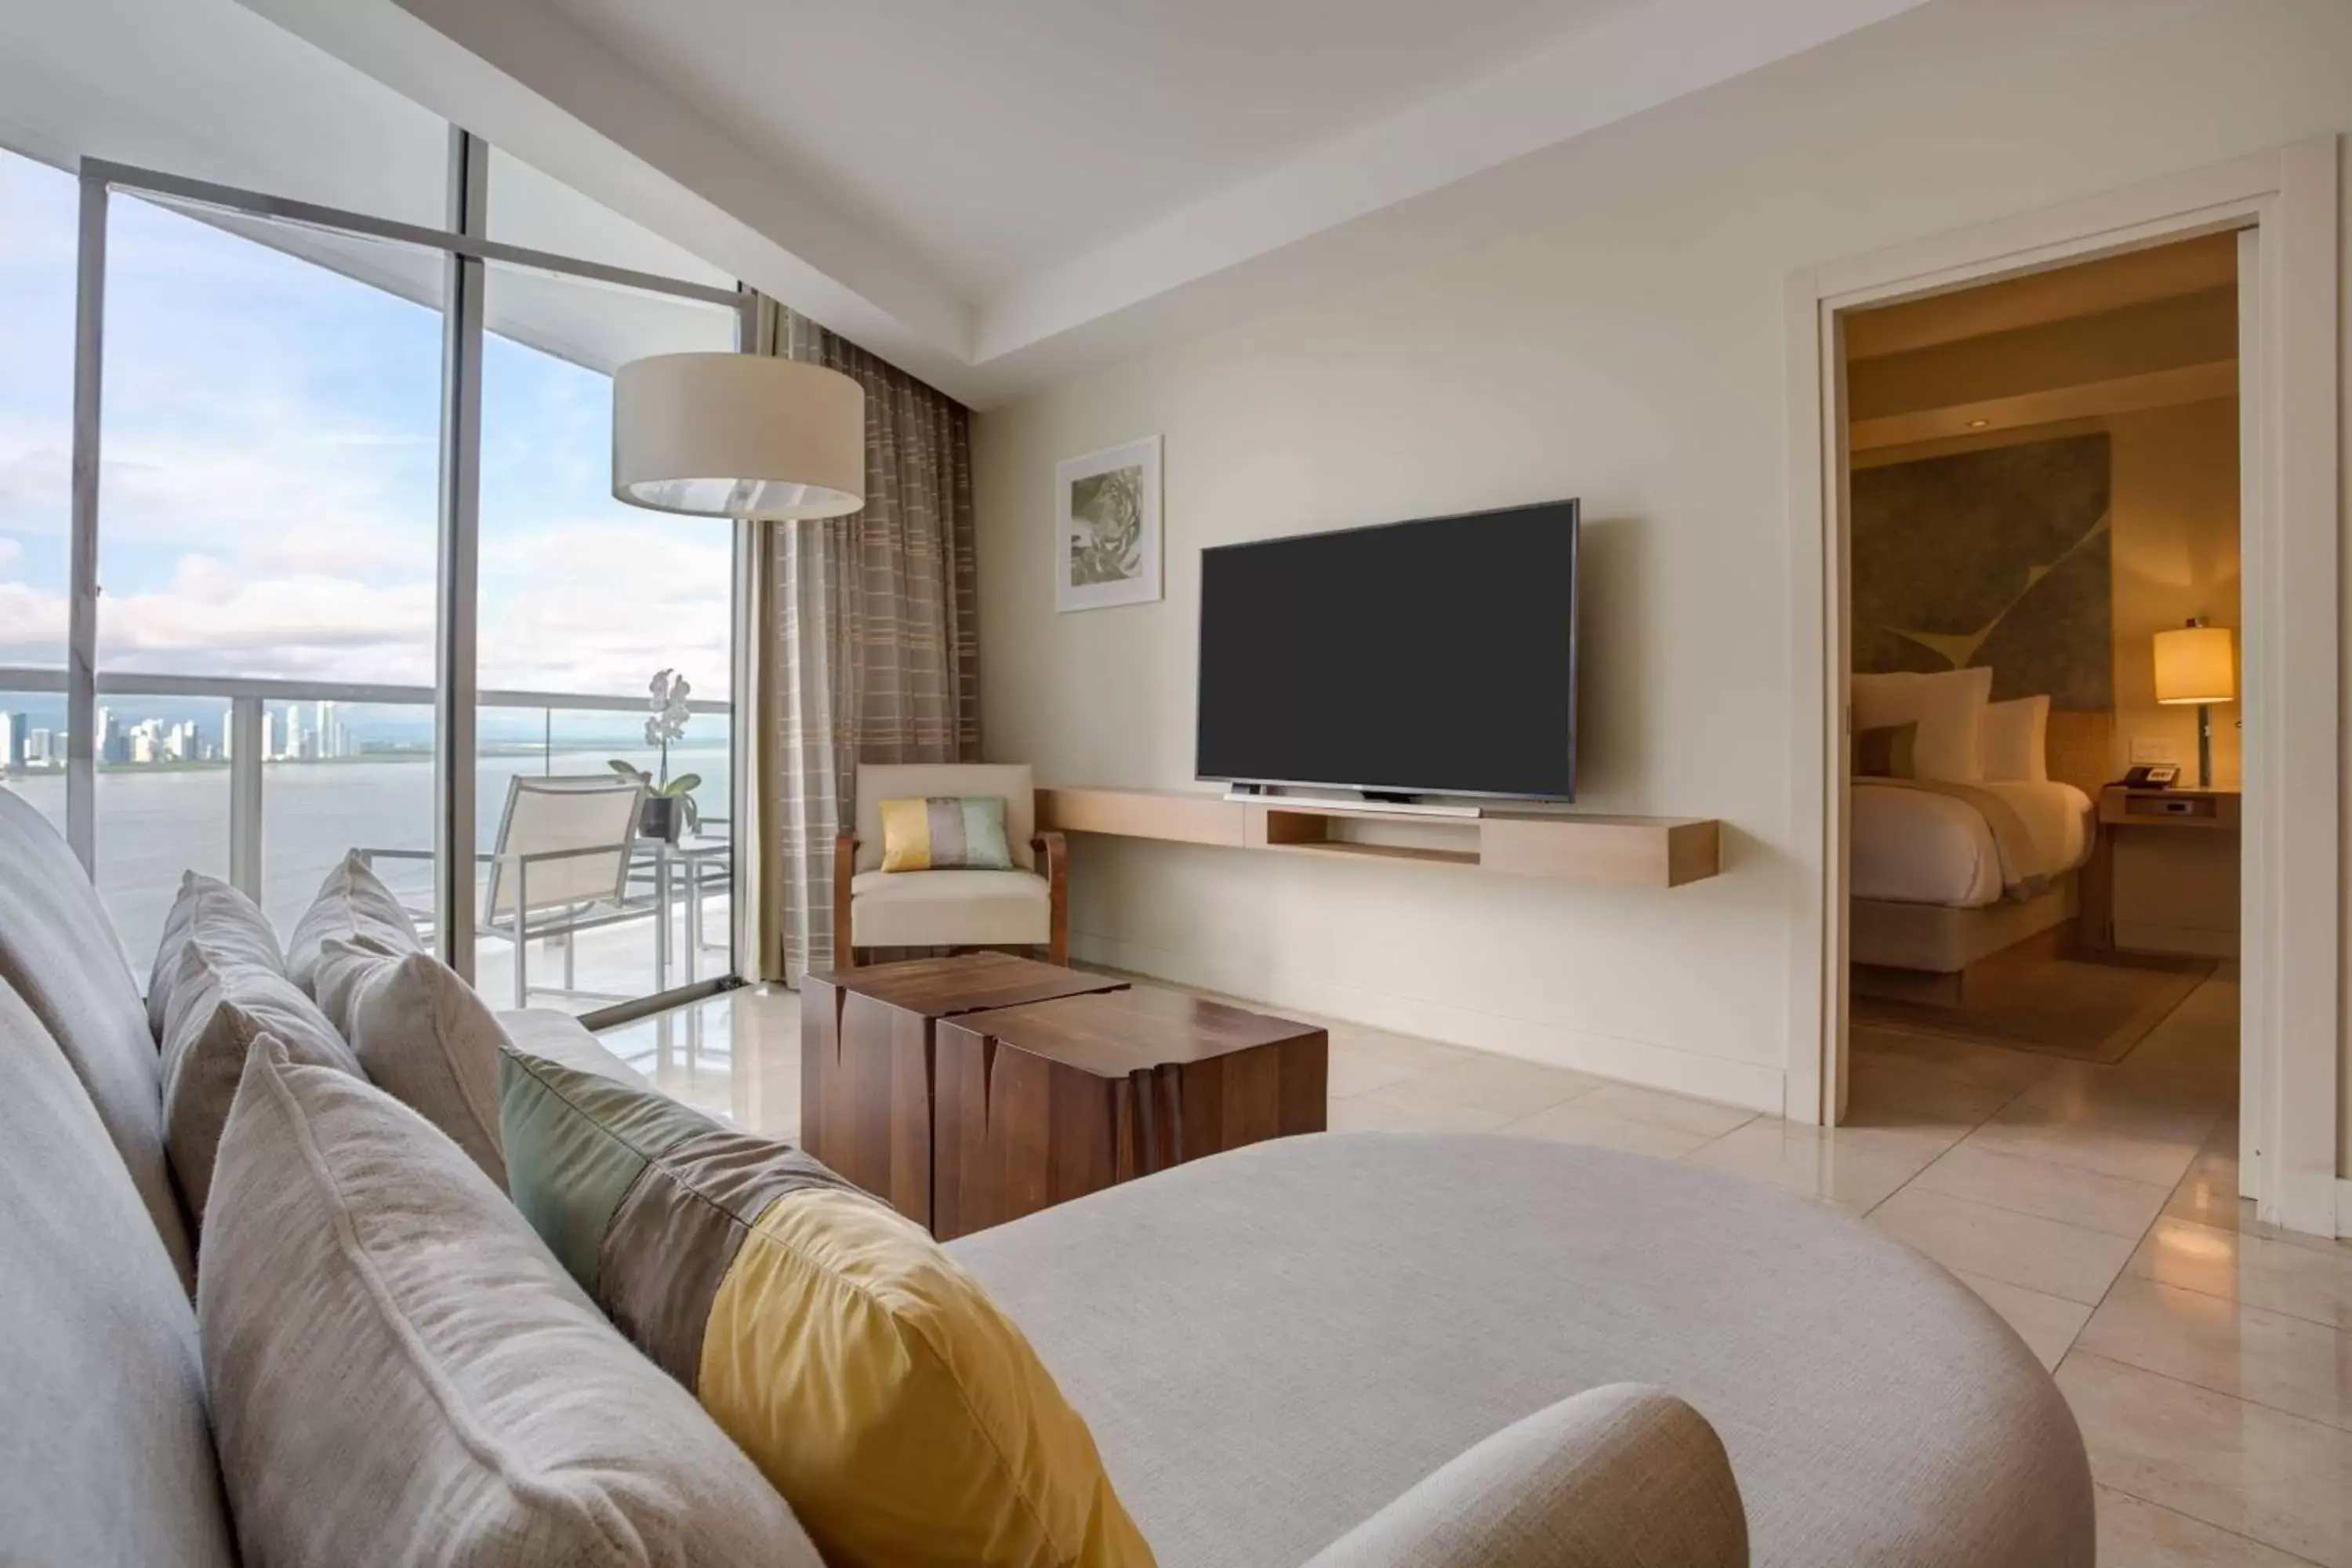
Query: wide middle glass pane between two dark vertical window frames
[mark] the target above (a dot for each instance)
(267, 537)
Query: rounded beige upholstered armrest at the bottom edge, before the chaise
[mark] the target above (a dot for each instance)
(1615, 1477)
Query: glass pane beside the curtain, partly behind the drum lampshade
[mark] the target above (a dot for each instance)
(584, 603)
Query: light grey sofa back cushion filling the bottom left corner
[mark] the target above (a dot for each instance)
(105, 1452)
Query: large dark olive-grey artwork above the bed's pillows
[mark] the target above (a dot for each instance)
(1991, 558)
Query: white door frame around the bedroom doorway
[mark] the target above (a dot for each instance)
(2292, 887)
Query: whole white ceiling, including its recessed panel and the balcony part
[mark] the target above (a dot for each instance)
(998, 194)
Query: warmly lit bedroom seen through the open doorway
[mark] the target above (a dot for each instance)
(2045, 603)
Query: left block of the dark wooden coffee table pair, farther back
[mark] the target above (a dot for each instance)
(867, 1059)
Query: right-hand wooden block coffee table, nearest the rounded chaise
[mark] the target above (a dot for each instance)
(1050, 1101)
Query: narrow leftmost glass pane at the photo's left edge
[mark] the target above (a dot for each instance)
(36, 474)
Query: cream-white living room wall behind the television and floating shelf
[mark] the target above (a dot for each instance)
(1631, 359)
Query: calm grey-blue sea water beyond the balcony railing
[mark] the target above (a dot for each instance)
(159, 824)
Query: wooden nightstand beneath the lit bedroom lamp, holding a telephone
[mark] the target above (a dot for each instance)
(2165, 873)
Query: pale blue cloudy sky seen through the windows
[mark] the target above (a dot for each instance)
(269, 469)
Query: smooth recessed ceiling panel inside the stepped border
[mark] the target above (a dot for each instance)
(1001, 140)
